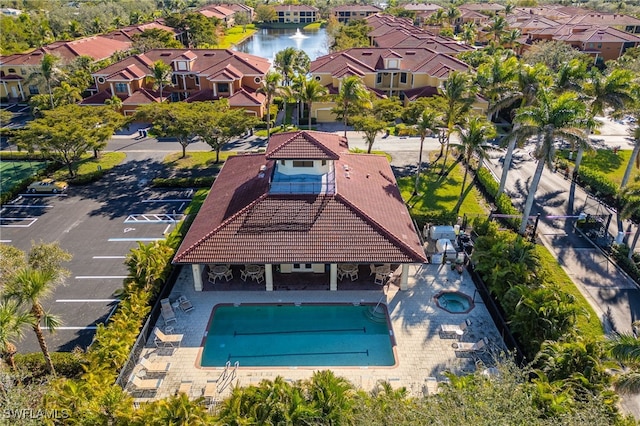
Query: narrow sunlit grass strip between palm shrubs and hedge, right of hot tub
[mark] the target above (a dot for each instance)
(587, 327)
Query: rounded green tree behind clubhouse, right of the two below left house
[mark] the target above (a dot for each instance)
(218, 124)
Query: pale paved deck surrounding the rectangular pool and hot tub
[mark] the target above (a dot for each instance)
(421, 353)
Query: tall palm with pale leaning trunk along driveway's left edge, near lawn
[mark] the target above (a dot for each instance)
(530, 81)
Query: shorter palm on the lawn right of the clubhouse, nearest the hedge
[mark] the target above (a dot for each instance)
(473, 137)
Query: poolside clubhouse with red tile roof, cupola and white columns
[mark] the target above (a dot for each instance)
(305, 206)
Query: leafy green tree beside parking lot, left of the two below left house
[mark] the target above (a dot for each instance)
(174, 120)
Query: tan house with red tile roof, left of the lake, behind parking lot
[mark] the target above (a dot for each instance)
(196, 75)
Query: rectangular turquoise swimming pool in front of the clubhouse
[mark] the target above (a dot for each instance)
(269, 335)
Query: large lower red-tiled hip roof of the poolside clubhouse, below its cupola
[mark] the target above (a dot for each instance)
(365, 221)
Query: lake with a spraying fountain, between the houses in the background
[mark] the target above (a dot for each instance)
(266, 42)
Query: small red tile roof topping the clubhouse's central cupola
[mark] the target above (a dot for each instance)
(307, 145)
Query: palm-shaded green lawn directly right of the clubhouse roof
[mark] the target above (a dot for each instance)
(437, 194)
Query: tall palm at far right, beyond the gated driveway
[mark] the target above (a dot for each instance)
(611, 90)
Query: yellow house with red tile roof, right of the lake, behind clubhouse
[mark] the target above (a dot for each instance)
(408, 73)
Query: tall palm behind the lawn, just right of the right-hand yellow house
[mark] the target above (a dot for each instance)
(457, 96)
